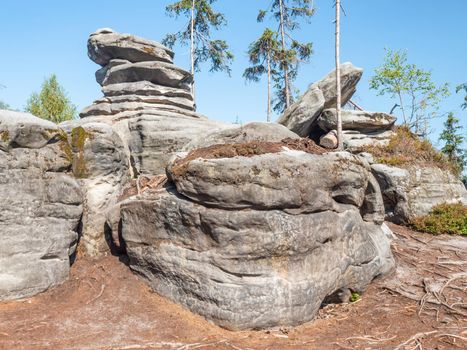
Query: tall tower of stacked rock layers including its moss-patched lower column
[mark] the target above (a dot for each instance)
(146, 116)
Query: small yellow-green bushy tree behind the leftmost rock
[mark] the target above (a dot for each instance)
(51, 102)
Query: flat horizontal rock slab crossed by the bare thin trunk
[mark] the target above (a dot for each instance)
(362, 121)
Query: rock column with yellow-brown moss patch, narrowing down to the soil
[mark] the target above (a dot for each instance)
(101, 165)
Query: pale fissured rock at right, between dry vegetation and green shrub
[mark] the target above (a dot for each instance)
(413, 192)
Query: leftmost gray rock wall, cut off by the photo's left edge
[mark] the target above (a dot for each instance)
(40, 208)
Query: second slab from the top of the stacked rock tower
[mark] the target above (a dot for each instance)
(159, 73)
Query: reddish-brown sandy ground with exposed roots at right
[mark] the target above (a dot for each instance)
(104, 306)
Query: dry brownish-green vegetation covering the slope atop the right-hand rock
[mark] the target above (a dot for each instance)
(405, 148)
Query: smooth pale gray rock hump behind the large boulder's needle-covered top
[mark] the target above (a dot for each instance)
(256, 131)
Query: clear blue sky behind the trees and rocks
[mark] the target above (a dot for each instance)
(42, 37)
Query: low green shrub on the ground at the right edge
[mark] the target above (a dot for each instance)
(443, 219)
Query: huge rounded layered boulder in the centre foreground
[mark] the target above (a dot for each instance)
(231, 228)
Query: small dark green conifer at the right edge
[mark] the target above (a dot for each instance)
(454, 138)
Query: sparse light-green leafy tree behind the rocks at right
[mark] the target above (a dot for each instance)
(413, 88)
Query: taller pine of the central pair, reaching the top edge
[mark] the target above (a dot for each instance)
(287, 13)
